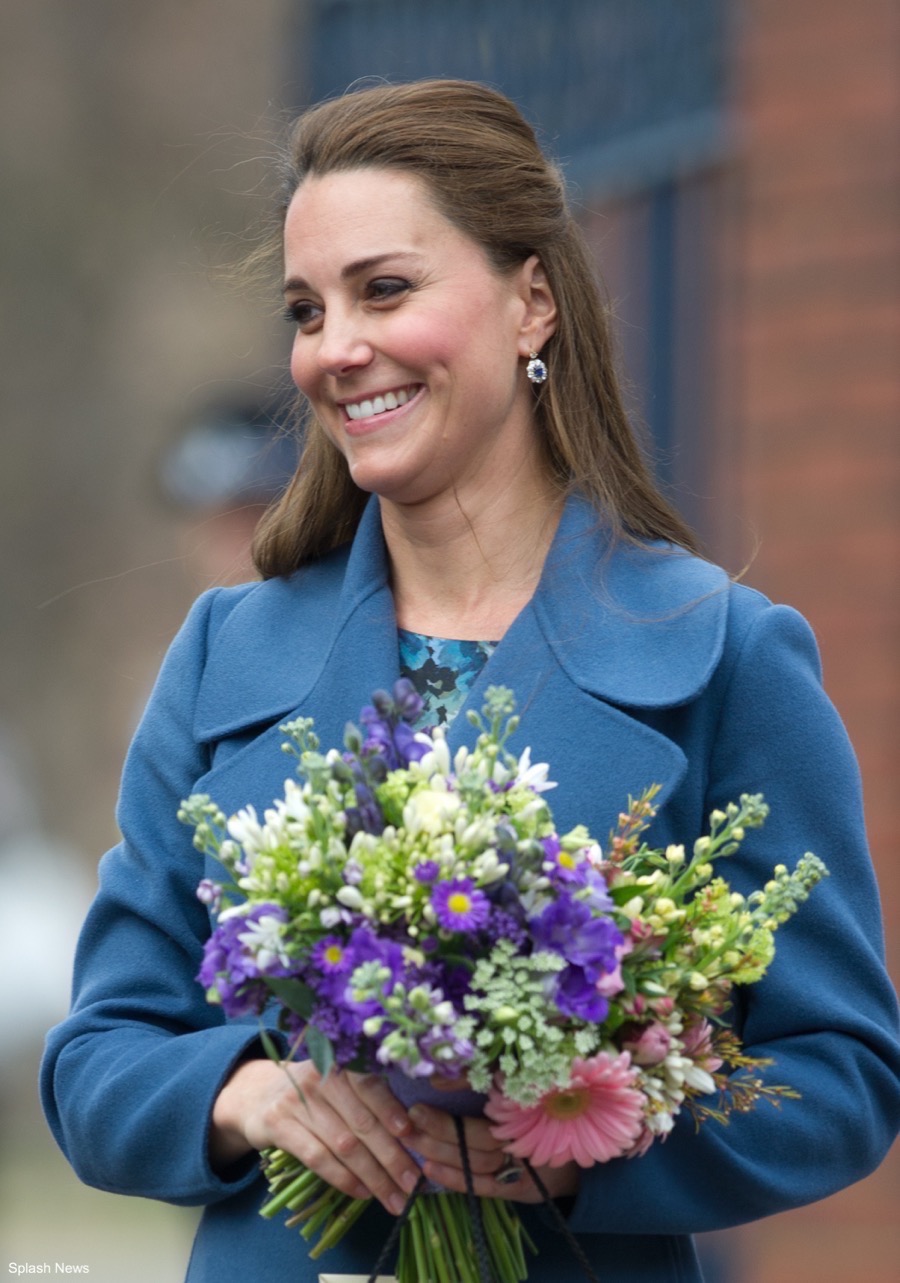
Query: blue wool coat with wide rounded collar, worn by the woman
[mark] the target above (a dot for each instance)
(631, 667)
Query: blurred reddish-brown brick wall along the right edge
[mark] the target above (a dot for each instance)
(813, 402)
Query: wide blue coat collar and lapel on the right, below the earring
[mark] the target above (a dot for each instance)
(613, 633)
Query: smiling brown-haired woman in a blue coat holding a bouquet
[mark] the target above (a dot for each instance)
(472, 497)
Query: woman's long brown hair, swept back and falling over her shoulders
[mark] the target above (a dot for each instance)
(487, 175)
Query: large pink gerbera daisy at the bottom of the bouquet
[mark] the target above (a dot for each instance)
(596, 1118)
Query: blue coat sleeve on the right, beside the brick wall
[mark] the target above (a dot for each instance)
(826, 1012)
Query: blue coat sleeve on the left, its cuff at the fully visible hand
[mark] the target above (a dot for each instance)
(130, 1077)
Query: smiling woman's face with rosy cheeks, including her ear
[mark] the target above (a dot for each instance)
(409, 343)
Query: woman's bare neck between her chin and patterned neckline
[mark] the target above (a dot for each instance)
(465, 568)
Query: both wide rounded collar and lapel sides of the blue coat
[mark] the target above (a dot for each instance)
(612, 631)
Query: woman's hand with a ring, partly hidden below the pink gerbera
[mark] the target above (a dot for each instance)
(436, 1140)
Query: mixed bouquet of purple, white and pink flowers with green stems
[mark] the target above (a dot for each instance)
(414, 913)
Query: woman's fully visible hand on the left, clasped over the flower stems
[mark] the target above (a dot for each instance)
(346, 1127)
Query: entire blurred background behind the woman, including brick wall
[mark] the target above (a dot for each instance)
(738, 170)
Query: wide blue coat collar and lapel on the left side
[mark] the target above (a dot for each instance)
(313, 646)
